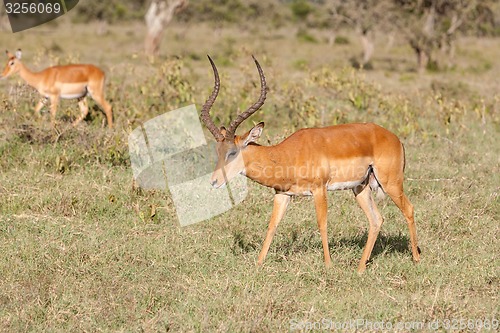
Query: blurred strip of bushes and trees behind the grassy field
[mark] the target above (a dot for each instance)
(429, 26)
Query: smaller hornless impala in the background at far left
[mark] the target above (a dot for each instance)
(68, 82)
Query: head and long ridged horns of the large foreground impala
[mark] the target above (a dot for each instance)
(230, 147)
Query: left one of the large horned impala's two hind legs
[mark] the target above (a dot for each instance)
(366, 202)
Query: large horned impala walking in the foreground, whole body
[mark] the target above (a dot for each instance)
(312, 161)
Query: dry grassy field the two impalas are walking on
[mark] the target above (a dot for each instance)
(83, 249)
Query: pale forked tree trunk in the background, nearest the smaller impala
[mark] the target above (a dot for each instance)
(158, 16)
